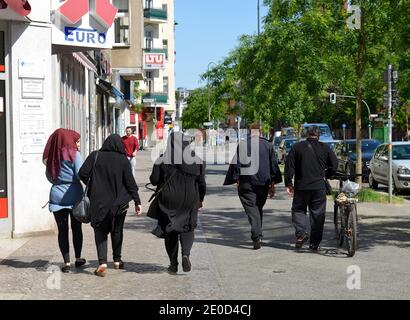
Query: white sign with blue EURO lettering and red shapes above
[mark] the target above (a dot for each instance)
(84, 23)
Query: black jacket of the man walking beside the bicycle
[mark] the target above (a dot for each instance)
(309, 166)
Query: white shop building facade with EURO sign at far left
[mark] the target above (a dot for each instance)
(53, 73)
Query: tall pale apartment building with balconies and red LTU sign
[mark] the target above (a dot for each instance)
(159, 71)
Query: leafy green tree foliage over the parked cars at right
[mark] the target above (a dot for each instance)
(285, 74)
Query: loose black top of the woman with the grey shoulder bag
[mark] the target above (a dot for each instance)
(112, 184)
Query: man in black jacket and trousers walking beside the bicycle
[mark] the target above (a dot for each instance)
(309, 163)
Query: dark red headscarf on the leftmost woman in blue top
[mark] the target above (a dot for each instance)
(60, 146)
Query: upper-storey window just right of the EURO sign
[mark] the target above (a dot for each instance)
(122, 23)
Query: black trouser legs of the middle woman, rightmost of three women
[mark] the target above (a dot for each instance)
(172, 240)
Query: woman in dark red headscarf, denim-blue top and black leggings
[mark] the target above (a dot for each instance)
(63, 161)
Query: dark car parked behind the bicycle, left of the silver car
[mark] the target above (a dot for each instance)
(346, 154)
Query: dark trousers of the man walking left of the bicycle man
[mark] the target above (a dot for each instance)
(253, 199)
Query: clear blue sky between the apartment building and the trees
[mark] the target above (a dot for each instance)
(207, 31)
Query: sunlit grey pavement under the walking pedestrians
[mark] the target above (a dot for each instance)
(224, 264)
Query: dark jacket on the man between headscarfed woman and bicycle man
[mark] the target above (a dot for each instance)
(268, 170)
